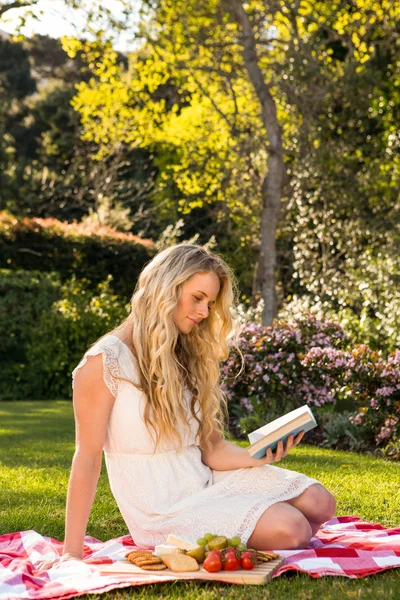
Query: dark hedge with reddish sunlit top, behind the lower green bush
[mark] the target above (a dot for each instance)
(85, 251)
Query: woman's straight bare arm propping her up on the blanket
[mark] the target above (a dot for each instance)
(92, 406)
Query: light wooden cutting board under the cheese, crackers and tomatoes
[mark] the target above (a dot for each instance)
(261, 574)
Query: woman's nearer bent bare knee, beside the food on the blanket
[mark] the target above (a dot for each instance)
(281, 527)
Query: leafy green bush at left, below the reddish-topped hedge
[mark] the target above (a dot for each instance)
(45, 327)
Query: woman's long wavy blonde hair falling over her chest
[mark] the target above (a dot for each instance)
(169, 361)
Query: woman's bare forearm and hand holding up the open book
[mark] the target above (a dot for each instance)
(226, 456)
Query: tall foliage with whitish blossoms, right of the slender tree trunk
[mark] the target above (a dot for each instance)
(341, 217)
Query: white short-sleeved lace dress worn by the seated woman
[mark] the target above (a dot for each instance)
(170, 491)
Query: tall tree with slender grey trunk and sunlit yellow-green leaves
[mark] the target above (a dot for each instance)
(237, 60)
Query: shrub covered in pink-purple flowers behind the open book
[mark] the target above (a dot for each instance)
(309, 362)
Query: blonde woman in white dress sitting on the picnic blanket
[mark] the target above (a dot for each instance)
(148, 395)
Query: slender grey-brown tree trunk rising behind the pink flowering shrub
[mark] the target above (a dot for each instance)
(273, 182)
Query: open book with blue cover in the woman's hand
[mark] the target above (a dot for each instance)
(268, 436)
